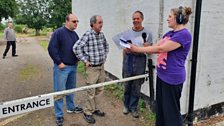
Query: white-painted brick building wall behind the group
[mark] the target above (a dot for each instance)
(117, 18)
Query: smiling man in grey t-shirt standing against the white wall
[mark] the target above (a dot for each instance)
(134, 63)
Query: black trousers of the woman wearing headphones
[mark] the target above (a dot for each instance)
(168, 104)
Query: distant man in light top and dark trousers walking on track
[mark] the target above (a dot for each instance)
(9, 36)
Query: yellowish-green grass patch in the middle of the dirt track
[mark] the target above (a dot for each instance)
(28, 72)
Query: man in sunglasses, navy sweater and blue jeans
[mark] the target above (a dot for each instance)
(65, 65)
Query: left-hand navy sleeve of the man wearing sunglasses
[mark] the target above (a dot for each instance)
(53, 48)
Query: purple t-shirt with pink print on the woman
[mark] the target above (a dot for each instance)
(171, 65)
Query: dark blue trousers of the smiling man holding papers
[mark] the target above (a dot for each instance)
(133, 65)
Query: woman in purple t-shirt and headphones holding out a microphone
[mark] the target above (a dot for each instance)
(172, 52)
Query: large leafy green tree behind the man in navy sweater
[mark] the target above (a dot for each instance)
(39, 13)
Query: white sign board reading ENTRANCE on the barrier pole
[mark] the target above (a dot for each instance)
(25, 105)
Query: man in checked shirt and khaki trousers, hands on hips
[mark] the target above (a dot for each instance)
(92, 49)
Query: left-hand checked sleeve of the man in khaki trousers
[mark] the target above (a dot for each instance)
(78, 48)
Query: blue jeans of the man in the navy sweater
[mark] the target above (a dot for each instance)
(64, 79)
